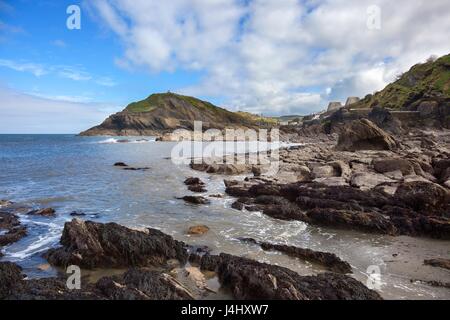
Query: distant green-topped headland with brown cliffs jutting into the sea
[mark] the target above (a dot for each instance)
(162, 113)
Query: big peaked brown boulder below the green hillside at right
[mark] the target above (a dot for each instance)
(363, 134)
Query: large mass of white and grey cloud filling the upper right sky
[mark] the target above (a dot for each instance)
(277, 56)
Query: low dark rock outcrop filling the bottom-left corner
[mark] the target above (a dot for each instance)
(134, 284)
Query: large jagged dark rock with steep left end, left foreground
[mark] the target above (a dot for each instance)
(95, 245)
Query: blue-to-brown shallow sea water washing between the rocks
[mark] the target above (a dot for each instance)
(71, 173)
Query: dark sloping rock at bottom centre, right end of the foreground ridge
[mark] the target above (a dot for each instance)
(251, 280)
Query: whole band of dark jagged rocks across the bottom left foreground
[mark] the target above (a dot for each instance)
(148, 256)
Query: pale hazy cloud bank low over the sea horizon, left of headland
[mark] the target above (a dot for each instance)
(27, 113)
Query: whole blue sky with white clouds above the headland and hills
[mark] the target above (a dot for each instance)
(272, 57)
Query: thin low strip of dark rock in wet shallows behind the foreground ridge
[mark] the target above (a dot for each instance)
(326, 259)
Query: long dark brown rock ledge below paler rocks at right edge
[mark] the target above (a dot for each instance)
(416, 208)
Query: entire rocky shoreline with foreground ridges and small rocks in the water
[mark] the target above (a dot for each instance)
(362, 179)
